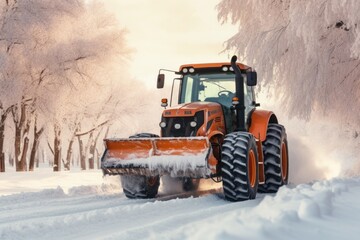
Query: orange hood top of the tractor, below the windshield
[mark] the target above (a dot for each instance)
(190, 109)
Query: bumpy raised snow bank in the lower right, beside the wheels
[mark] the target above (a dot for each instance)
(322, 210)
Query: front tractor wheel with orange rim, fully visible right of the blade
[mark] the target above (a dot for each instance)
(239, 159)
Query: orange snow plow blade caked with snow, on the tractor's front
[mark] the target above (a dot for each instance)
(178, 157)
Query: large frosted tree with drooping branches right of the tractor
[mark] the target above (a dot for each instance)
(308, 52)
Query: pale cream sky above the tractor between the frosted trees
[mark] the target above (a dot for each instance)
(169, 33)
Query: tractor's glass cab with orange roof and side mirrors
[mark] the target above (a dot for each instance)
(216, 83)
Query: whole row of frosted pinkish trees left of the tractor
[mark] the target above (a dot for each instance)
(60, 67)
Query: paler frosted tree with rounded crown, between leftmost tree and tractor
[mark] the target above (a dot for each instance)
(97, 43)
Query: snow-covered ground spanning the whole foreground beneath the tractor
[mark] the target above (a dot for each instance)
(84, 205)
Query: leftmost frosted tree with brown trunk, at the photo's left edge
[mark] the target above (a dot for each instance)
(25, 39)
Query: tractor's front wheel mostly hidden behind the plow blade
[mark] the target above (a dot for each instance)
(137, 186)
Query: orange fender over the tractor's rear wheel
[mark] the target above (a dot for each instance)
(260, 120)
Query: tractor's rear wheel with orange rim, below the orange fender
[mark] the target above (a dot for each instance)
(276, 159)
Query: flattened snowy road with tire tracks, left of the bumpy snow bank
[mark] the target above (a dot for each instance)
(58, 215)
